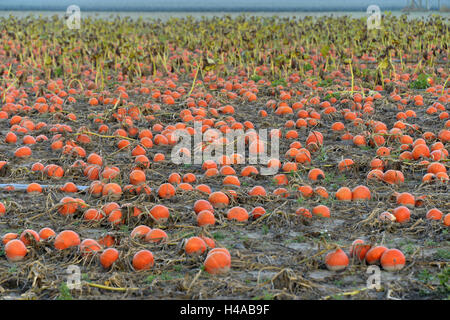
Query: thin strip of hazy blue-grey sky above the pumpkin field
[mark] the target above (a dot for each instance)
(138, 5)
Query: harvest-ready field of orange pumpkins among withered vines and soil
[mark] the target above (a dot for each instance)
(356, 204)
